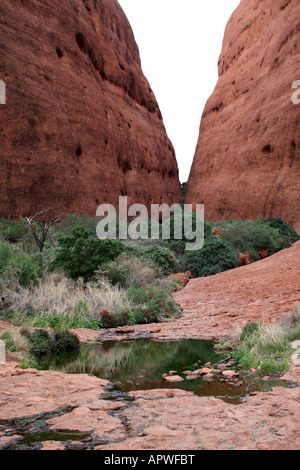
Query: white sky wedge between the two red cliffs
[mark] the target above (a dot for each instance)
(180, 43)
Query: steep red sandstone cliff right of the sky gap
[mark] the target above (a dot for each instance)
(247, 161)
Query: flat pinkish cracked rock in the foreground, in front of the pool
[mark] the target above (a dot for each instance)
(156, 419)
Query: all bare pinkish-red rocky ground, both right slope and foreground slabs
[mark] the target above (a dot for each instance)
(167, 419)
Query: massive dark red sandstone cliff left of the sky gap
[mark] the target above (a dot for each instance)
(81, 125)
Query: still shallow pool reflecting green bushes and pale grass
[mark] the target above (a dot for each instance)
(139, 365)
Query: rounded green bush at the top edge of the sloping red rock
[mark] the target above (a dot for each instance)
(216, 256)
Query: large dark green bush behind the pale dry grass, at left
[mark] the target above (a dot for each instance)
(80, 253)
